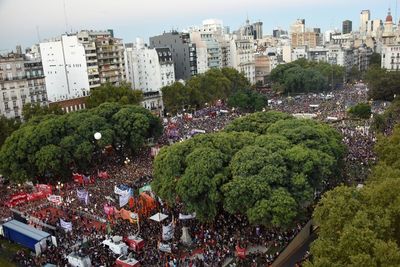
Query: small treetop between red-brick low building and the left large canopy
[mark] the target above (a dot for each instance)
(122, 94)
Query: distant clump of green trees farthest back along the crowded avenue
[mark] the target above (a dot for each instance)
(302, 76)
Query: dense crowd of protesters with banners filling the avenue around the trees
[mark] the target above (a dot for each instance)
(212, 244)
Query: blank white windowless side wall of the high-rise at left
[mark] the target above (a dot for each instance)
(65, 69)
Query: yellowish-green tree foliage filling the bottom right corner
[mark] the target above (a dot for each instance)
(361, 226)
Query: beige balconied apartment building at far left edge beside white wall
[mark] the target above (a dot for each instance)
(21, 82)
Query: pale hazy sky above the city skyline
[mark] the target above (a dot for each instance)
(24, 21)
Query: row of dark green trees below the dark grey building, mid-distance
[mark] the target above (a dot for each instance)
(215, 84)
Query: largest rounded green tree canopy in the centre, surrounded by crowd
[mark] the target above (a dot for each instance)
(265, 166)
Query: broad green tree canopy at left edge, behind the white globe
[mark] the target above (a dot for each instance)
(54, 145)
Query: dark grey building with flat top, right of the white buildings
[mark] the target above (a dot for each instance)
(183, 52)
